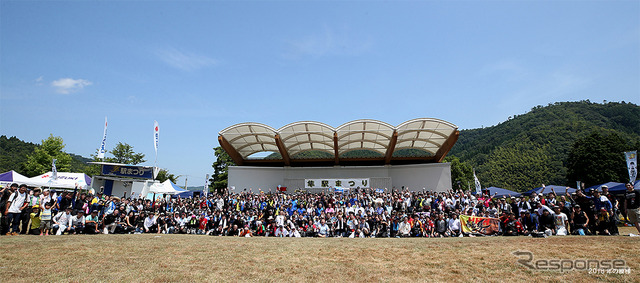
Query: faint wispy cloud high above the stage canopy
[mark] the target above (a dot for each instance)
(327, 42)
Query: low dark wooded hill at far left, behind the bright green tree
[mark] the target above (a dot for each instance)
(13, 155)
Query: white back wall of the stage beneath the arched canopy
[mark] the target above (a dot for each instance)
(433, 177)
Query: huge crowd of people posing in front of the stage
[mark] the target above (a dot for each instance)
(356, 214)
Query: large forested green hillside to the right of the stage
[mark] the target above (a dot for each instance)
(531, 149)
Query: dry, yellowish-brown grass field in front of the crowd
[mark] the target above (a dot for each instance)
(162, 258)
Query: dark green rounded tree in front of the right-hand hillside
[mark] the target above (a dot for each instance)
(598, 159)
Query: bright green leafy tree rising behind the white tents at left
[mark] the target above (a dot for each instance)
(39, 162)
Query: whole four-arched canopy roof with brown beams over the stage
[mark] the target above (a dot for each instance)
(378, 140)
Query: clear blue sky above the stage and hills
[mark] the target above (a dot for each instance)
(198, 67)
